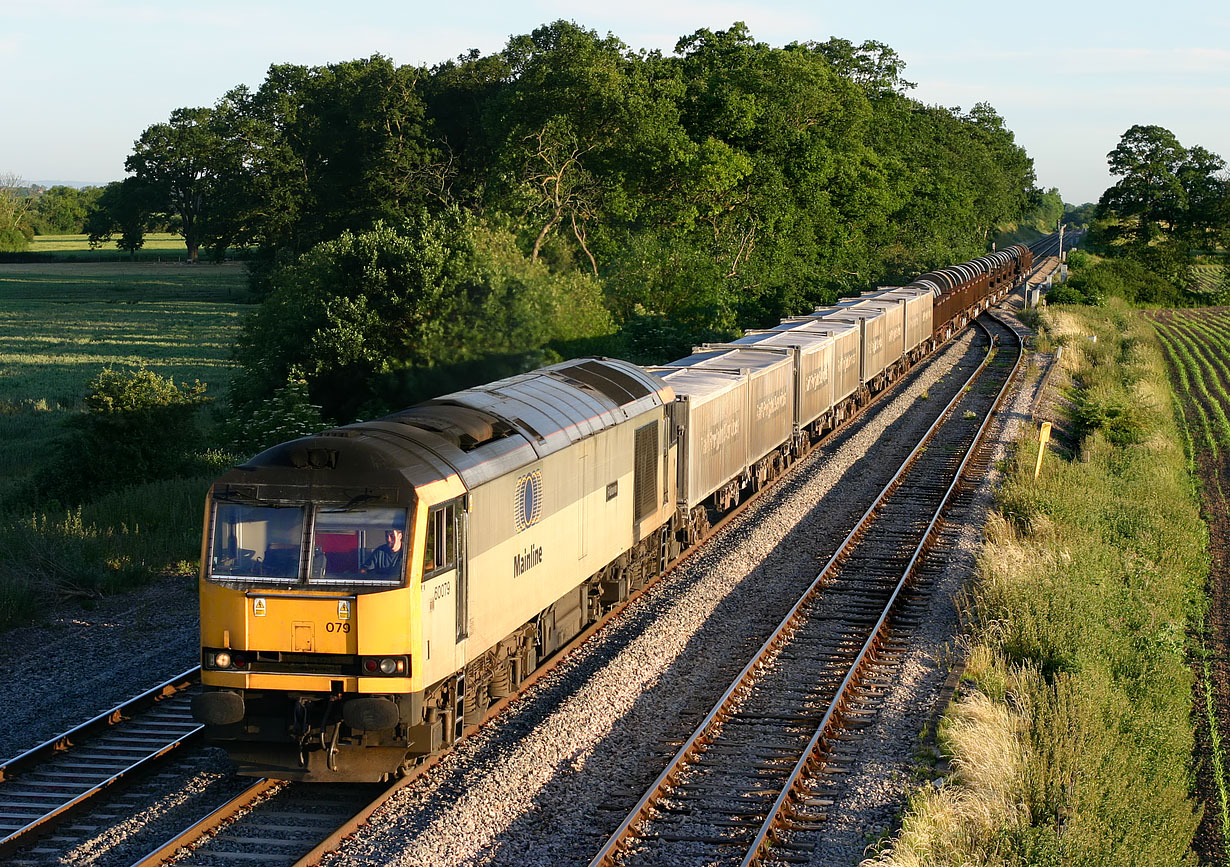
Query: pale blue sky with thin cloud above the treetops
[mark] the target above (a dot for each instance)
(83, 79)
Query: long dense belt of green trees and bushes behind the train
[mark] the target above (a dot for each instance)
(565, 194)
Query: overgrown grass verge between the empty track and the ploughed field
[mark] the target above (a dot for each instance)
(1072, 737)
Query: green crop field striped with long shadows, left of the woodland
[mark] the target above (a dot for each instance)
(62, 324)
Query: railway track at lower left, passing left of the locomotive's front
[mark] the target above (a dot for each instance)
(45, 785)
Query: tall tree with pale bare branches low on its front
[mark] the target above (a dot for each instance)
(575, 132)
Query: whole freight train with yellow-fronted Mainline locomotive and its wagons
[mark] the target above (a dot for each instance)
(370, 591)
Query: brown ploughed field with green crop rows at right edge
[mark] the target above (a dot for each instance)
(1197, 345)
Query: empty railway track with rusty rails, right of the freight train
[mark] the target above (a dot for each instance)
(747, 785)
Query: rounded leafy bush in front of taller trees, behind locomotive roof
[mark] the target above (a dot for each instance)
(356, 313)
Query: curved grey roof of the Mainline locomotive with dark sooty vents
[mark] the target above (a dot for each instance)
(479, 433)
